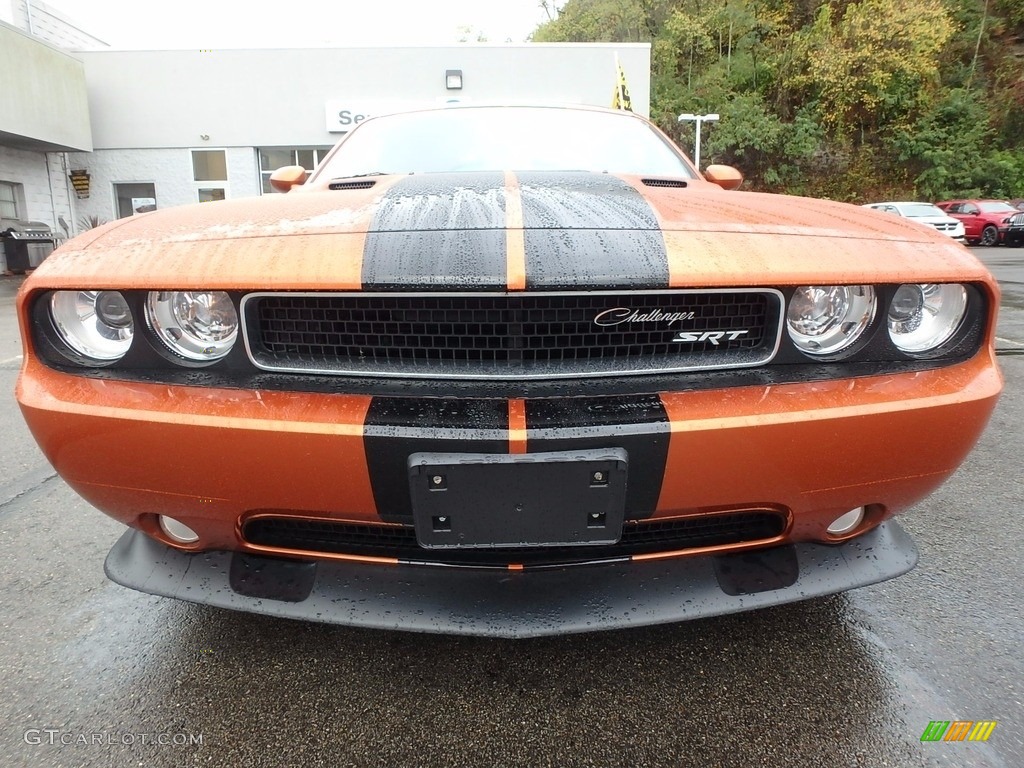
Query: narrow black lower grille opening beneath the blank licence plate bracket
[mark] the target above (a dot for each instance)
(648, 537)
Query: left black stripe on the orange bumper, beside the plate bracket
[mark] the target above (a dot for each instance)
(398, 428)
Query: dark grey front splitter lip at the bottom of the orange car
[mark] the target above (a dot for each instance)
(505, 604)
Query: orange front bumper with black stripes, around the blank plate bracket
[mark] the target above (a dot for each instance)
(212, 458)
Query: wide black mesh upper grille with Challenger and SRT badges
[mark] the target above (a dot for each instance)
(513, 335)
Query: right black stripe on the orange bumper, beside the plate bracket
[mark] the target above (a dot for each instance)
(637, 423)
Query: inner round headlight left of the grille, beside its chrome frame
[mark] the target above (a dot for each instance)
(199, 326)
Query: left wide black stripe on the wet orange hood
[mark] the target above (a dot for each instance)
(440, 231)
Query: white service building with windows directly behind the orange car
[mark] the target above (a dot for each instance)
(189, 126)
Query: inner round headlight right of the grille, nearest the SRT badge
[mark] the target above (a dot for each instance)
(826, 320)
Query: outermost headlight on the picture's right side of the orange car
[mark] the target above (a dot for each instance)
(924, 317)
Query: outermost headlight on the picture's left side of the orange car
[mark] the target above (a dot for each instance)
(98, 325)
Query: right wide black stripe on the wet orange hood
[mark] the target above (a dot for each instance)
(590, 230)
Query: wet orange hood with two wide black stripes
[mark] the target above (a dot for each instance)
(464, 231)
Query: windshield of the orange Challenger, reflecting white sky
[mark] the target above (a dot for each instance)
(510, 139)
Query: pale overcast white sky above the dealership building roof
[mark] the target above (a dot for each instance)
(293, 24)
